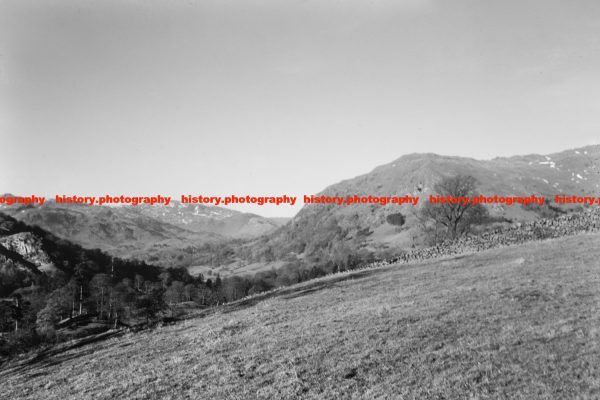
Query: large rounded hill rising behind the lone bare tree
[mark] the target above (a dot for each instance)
(319, 230)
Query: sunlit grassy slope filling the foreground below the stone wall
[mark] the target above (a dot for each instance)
(520, 322)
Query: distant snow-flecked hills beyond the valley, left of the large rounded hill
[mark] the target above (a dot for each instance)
(174, 235)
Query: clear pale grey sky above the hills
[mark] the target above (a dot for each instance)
(272, 97)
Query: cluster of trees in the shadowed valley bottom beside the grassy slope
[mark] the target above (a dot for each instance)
(52, 308)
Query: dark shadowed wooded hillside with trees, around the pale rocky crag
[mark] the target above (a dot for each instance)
(84, 286)
